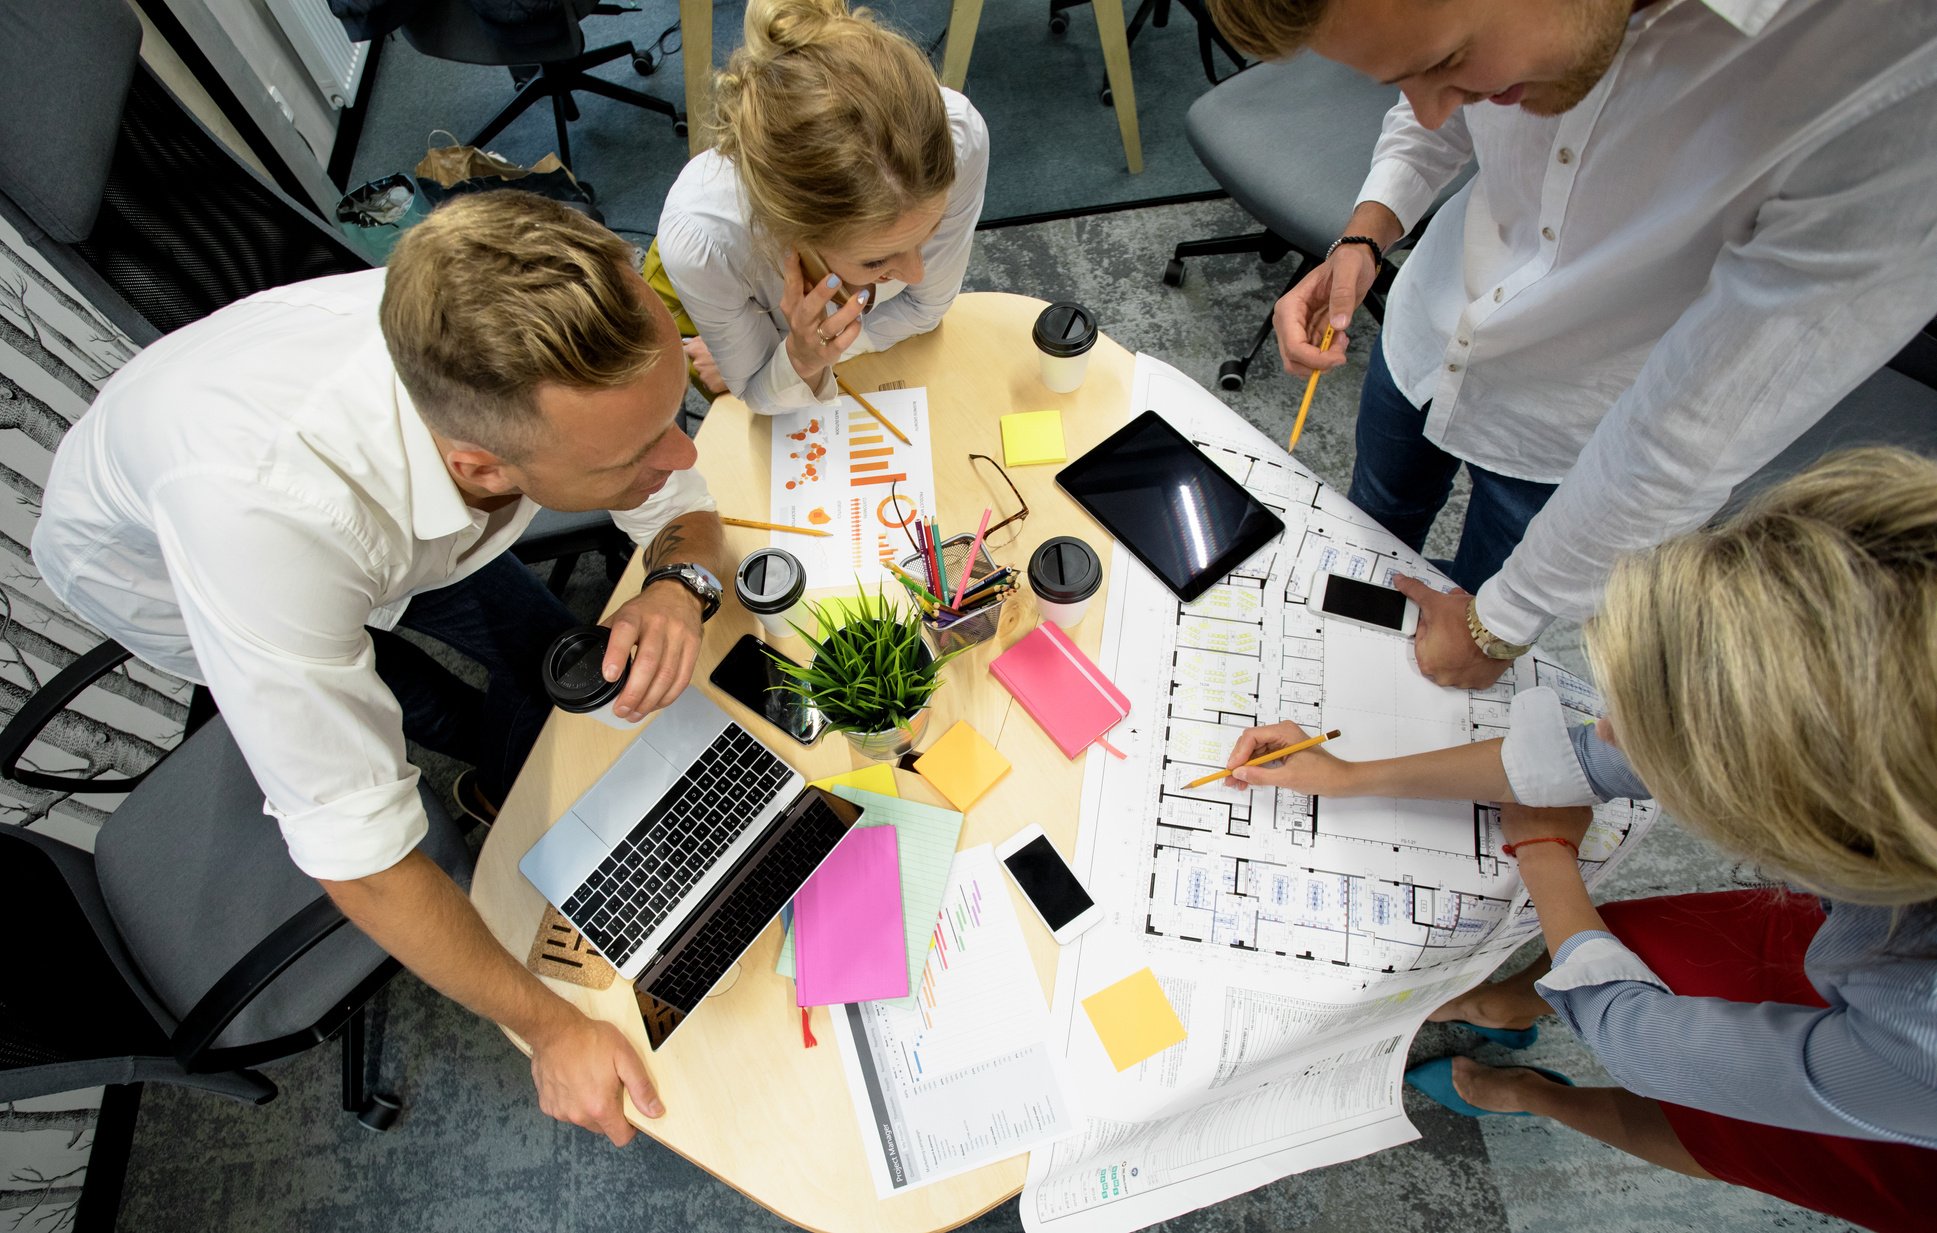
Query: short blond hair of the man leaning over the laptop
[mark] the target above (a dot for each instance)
(501, 293)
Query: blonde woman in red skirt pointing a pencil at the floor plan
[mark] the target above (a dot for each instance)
(1775, 682)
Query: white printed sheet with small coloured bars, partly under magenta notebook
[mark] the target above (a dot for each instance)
(966, 1077)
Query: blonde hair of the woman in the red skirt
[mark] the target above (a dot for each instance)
(1775, 678)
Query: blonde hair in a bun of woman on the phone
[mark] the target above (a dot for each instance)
(834, 123)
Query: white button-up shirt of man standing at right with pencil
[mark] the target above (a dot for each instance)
(1651, 295)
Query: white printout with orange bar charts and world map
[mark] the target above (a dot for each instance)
(838, 469)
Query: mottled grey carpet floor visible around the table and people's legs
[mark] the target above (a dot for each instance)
(474, 1153)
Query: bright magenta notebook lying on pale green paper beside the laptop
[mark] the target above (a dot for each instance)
(851, 944)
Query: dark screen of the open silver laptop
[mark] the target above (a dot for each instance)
(747, 909)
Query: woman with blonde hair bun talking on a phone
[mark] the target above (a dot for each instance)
(834, 214)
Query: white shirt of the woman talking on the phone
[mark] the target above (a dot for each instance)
(733, 287)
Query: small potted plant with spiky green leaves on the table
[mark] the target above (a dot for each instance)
(871, 675)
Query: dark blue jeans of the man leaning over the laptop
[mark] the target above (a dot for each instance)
(505, 618)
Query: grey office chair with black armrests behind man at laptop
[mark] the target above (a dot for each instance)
(189, 947)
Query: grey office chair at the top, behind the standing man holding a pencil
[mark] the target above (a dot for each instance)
(1291, 144)
